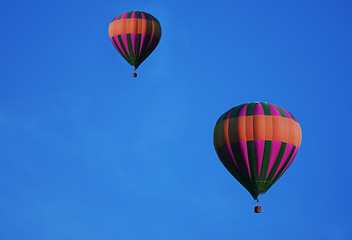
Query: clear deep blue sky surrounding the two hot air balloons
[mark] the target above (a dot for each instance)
(88, 152)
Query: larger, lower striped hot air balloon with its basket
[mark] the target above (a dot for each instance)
(257, 142)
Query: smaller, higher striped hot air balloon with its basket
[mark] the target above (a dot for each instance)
(135, 34)
